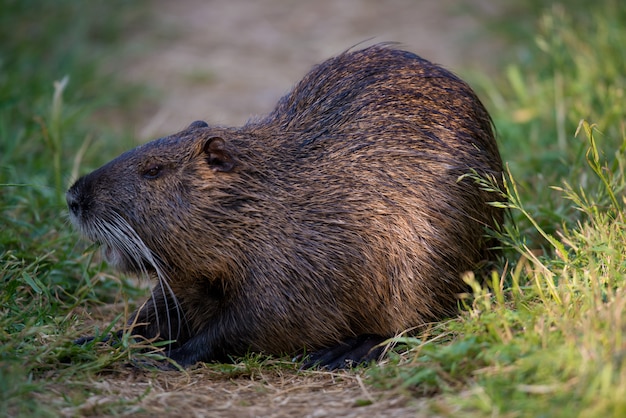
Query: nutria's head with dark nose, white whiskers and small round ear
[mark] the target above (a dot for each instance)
(137, 205)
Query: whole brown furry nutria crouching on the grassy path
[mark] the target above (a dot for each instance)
(337, 221)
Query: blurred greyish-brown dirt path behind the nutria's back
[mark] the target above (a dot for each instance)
(223, 61)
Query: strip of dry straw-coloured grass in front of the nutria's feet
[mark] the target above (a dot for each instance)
(277, 390)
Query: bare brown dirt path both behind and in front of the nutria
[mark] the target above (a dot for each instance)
(225, 61)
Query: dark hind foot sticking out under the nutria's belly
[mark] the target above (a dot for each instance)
(347, 354)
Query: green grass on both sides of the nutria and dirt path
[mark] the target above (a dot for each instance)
(546, 335)
